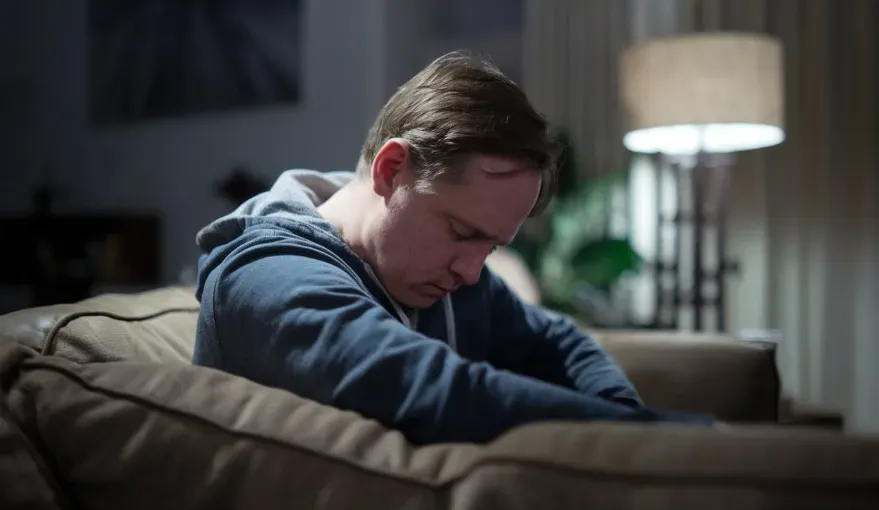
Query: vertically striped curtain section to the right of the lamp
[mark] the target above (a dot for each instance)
(807, 208)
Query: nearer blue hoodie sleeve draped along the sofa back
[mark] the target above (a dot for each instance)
(285, 313)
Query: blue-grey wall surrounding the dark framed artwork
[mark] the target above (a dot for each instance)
(170, 166)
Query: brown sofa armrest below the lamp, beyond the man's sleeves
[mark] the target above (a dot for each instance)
(734, 380)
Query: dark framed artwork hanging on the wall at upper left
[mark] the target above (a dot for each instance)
(151, 59)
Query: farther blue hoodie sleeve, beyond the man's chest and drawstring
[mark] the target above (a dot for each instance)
(529, 339)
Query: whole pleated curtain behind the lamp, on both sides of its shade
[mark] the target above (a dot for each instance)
(804, 214)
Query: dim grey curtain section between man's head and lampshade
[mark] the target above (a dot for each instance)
(570, 73)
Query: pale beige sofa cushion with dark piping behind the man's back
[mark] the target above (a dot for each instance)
(158, 325)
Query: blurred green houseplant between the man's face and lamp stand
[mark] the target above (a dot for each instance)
(569, 249)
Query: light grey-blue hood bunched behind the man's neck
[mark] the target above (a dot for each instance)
(295, 194)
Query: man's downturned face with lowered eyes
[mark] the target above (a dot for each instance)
(428, 244)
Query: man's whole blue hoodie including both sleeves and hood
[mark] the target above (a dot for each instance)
(286, 303)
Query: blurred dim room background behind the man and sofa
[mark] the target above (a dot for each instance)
(128, 125)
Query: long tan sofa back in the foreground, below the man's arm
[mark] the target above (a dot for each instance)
(176, 436)
